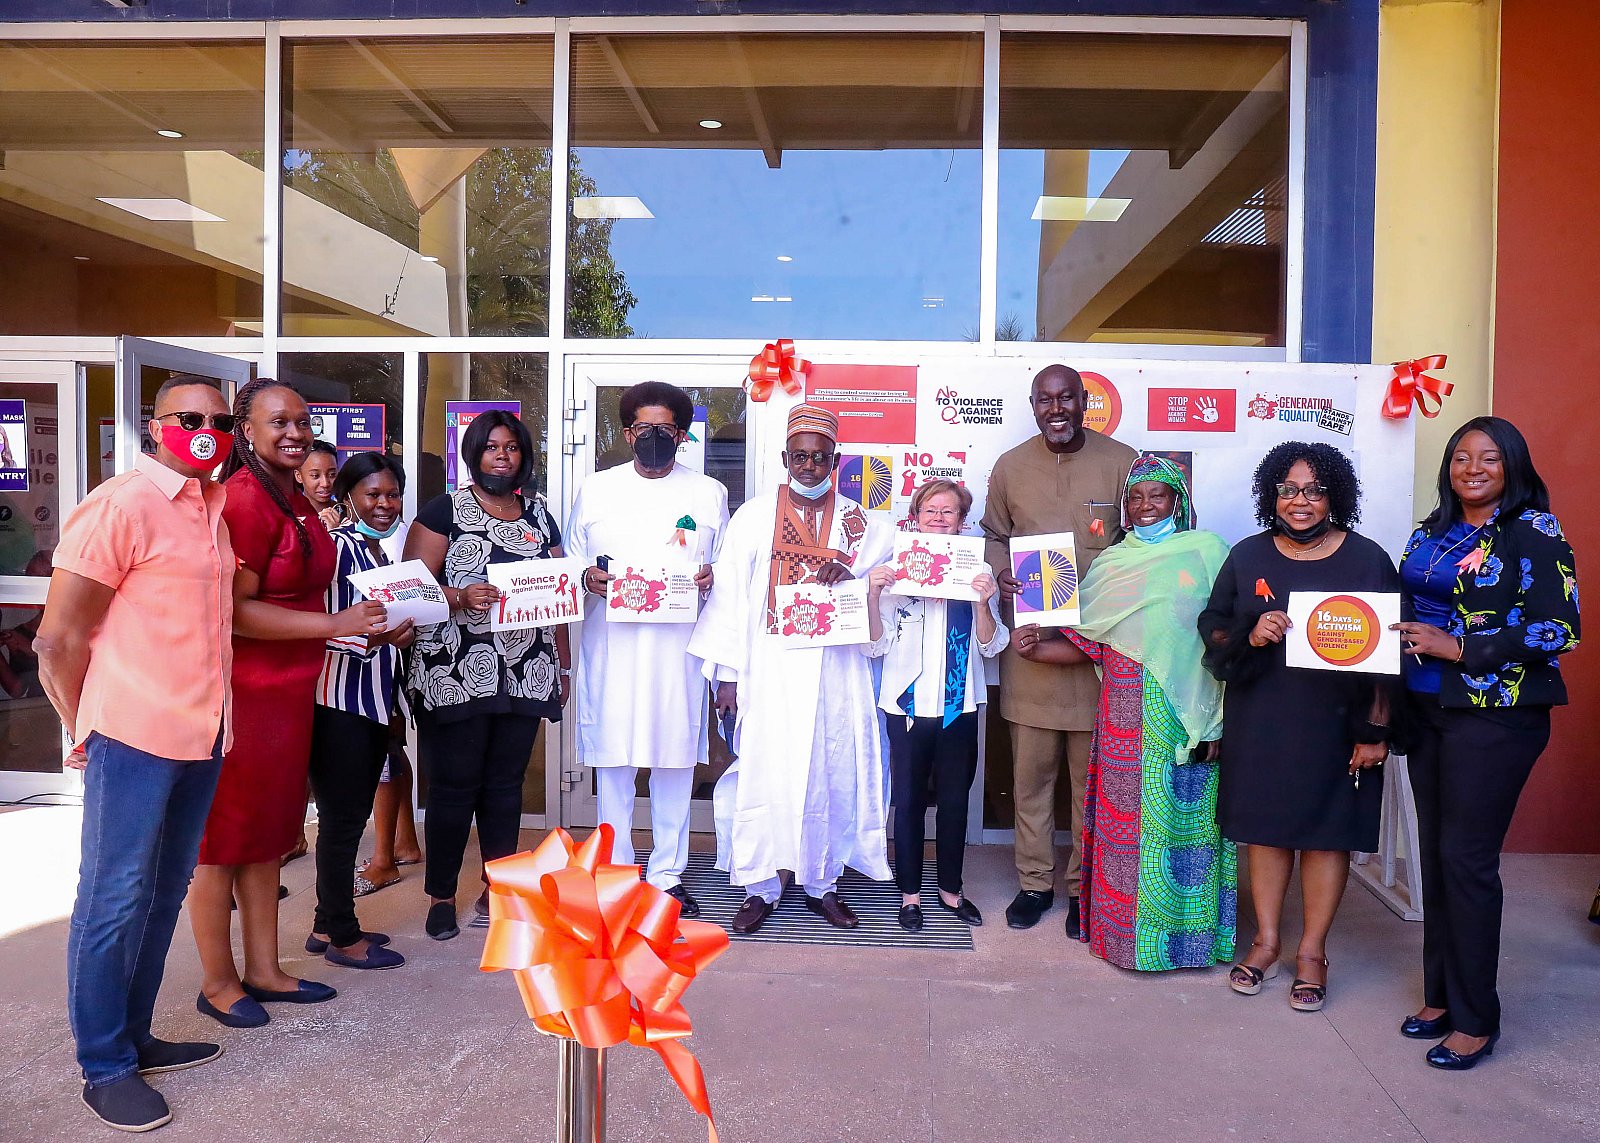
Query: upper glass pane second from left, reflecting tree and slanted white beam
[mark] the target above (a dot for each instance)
(417, 186)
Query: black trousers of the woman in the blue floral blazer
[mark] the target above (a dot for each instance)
(1468, 771)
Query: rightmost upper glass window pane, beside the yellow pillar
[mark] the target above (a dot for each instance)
(1143, 188)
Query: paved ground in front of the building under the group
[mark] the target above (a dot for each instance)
(1026, 1038)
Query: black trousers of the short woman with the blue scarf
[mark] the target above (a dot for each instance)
(946, 758)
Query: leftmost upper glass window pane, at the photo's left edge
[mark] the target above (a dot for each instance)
(130, 188)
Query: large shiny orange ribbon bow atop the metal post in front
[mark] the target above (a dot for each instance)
(599, 955)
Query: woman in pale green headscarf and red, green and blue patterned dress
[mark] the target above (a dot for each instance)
(1161, 884)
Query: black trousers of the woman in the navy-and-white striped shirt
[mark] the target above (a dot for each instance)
(346, 763)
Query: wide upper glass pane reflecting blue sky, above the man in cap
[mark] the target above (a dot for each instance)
(826, 186)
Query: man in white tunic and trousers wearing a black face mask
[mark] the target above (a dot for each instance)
(641, 694)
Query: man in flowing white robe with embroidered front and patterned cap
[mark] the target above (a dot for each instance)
(806, 793)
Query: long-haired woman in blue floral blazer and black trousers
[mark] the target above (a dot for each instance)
(1490, 604)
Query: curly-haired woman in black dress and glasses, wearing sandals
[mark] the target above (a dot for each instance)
(1298, 747)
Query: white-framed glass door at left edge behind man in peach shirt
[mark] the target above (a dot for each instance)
(41, 481)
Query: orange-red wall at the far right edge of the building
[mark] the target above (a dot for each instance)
(1548, 355)
